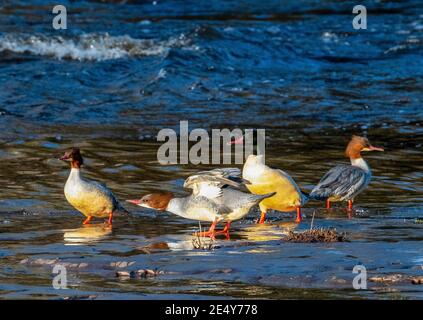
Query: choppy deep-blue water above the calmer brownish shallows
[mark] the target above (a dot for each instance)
(216, 63)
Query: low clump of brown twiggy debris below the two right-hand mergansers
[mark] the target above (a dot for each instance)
(316, 235)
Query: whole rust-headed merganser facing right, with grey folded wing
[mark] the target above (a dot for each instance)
(345, 182)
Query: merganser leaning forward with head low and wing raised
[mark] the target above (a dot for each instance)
(213, 199)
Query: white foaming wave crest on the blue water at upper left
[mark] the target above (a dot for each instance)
(90, 47)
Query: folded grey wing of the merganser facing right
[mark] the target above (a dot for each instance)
(341, 181)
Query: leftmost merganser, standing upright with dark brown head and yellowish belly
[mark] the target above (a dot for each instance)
(91, 198)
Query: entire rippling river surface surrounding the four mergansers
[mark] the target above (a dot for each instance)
(125, 69)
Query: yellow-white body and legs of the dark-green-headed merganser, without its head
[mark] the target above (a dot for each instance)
(264, 180)
